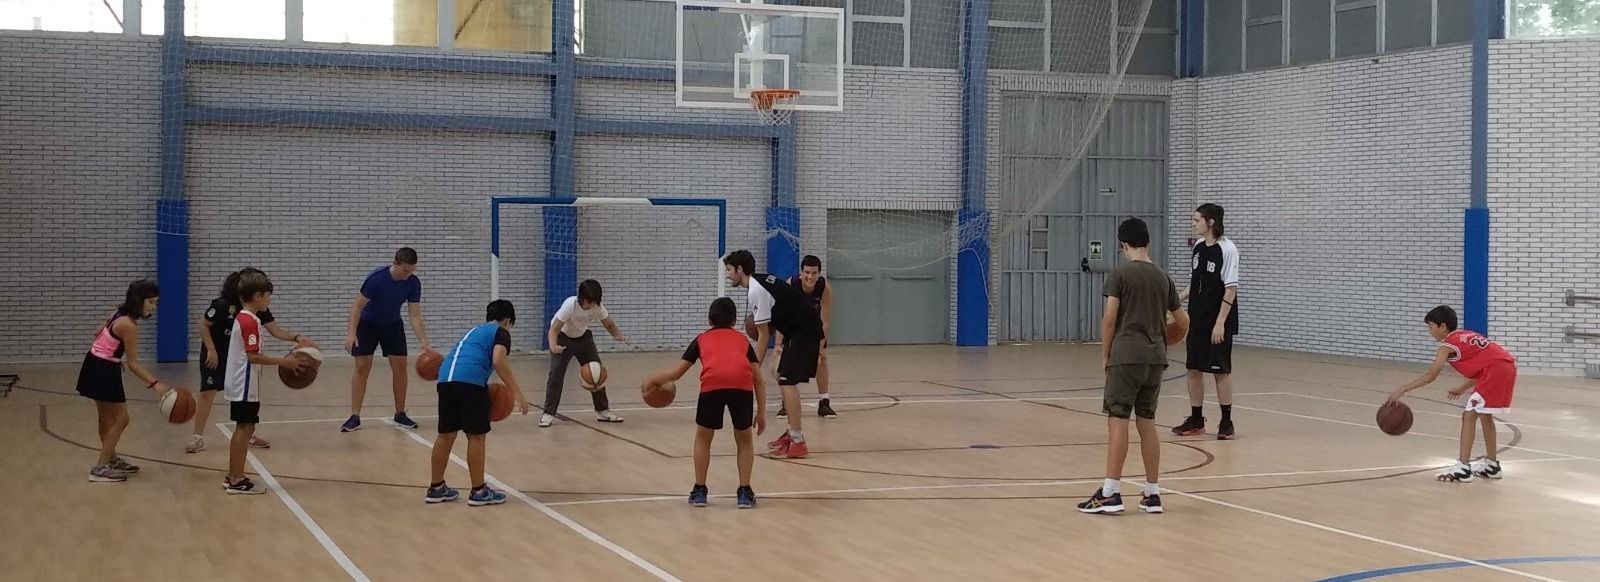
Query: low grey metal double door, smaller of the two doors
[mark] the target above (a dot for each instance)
(890, 273)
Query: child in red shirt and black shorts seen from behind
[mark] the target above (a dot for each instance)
(730, 380)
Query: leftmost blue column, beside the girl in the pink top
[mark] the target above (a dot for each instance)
(172, 210)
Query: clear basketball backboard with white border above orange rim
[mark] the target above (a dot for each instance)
(730, 49)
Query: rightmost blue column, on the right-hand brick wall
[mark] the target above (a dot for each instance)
(1489, 22)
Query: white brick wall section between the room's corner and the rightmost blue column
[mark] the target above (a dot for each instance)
(1345, 186)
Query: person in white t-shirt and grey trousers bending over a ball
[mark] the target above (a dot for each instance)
(570, 338)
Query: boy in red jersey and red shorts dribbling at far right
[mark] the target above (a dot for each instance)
(1492, 378)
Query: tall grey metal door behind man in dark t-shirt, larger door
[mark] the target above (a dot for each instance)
(1054, 210)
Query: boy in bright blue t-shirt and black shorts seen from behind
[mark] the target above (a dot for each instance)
(465, 402)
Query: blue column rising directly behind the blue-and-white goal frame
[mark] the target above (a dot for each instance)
(561, 223)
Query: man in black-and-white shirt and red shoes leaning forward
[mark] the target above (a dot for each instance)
(777, 306)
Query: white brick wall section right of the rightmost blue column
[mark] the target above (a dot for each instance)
(1545, 215)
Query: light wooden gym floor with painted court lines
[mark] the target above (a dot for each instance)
(946, 464)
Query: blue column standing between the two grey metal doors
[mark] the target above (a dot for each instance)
(972, 265)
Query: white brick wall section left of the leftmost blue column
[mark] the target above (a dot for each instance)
(79, 178)
